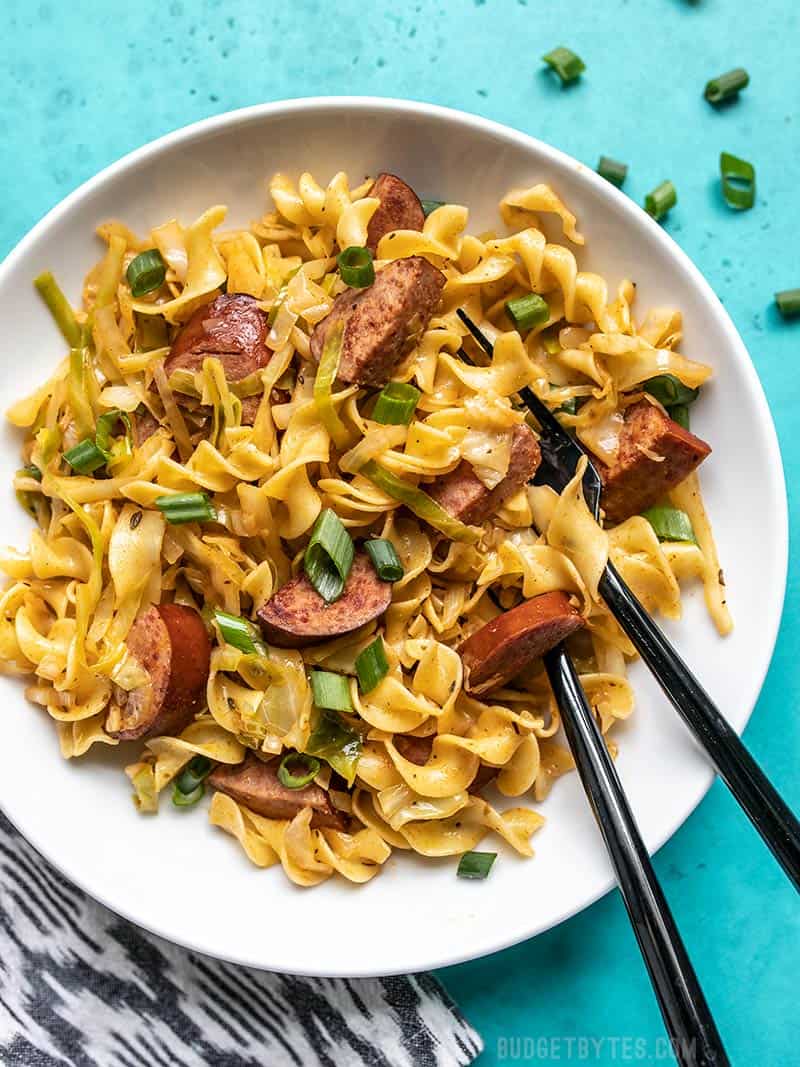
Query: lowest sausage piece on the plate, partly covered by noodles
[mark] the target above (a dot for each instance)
(255, 786)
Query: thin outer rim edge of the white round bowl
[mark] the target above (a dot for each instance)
(632, 213)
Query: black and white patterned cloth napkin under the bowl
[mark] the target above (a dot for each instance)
(82, 988)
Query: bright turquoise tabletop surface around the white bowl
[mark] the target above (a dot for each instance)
(86, 83)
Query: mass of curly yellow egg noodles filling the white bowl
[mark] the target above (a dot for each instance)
(93, 567)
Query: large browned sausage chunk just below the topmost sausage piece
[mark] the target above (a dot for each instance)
(380, 320)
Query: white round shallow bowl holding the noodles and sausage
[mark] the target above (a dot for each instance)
(184, 880)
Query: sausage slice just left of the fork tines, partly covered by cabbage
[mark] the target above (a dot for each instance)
(463, 495)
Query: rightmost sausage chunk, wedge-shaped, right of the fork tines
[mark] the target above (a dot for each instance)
(654, 455)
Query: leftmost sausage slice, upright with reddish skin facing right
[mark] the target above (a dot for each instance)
(170, 642)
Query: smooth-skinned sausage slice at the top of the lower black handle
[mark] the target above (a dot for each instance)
(501, 649)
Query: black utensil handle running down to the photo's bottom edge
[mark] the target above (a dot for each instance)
(691, 1026)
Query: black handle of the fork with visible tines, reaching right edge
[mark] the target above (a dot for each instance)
(738, 769)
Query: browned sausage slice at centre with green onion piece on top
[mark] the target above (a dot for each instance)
(297, 615)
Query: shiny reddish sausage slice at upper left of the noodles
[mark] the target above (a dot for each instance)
(232, 328)
